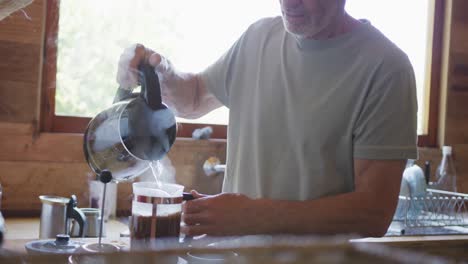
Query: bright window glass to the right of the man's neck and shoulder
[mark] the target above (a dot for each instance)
(407, 27)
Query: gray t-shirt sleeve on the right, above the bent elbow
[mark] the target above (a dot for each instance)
(387, 124)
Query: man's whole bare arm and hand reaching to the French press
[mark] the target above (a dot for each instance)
(367, 211)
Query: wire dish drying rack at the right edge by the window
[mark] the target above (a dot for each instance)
(435, 209)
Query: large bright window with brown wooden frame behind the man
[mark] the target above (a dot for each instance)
(91, 35)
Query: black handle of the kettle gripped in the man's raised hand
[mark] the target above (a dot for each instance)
(150, 89)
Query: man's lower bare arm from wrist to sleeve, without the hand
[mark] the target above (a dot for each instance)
(367, 211)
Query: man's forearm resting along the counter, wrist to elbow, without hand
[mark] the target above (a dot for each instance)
(357, 213)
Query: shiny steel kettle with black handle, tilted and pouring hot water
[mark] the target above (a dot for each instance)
(136, 130)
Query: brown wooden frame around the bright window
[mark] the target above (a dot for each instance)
(72, 124)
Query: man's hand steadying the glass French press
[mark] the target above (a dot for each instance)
(219, 215)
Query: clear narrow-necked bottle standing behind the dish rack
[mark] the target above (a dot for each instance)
(446, 178)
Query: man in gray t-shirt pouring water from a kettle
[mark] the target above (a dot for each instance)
(322, 119)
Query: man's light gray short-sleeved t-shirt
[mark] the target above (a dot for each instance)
(301, 110)
